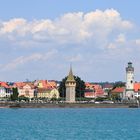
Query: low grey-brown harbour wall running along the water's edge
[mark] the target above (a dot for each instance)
(65, 105)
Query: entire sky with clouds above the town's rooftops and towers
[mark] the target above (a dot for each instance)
(39, 39)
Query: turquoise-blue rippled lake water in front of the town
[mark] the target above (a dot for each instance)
(70, 124)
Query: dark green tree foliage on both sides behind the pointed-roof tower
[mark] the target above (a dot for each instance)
(80, 87)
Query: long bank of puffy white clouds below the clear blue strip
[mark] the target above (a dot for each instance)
(69, 28)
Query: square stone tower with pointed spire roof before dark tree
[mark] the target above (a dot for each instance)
(70, 87)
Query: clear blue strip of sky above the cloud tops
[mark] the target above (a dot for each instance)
(53, 8)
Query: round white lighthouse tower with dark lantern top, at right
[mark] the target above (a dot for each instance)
(129, 94)
